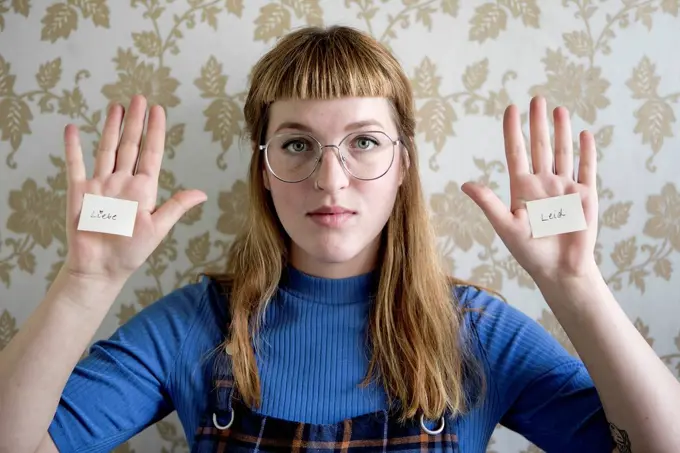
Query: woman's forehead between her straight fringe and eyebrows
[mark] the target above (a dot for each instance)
(331, 116)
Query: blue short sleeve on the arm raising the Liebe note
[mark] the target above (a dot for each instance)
(121, 387)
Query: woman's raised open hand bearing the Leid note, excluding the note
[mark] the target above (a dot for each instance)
(552, 257)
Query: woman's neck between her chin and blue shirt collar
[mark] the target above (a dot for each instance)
(362, 263)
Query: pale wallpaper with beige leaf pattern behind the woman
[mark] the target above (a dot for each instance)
(613, 63)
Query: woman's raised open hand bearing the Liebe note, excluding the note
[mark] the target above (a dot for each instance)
(118, 174)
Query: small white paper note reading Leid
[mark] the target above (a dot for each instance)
(556, 215)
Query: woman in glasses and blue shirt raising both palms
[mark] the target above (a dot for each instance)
(334, 328)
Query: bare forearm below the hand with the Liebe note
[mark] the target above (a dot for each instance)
(36, 364)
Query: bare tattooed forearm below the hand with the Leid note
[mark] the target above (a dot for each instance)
(639, 394)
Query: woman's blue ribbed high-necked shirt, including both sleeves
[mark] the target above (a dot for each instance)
(312, 356)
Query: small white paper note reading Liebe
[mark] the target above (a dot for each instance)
(108, 215)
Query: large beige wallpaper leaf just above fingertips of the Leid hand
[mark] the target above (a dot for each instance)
(579, 88)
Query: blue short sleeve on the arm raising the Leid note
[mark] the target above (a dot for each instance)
(545, 394)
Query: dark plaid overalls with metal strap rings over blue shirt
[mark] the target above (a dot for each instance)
(231, 427)
